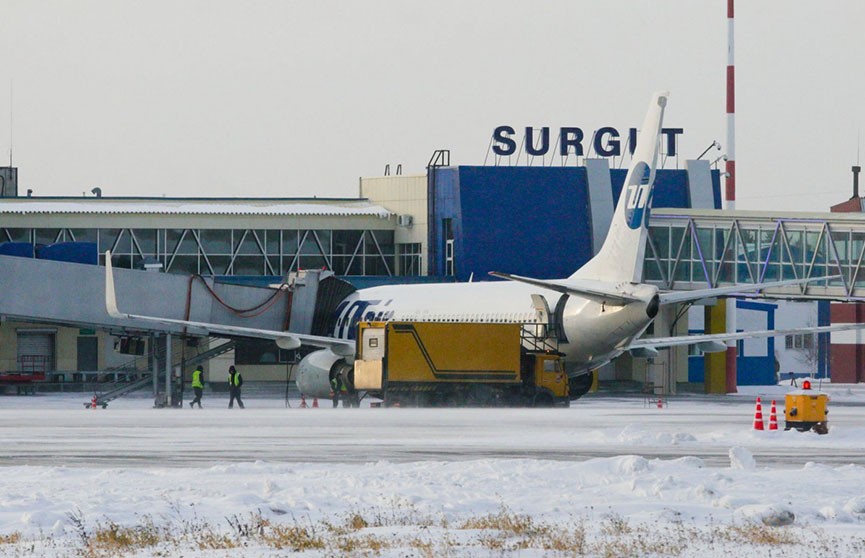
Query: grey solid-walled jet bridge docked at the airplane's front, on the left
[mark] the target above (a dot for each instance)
(74, 294)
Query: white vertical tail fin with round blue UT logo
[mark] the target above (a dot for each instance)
(621, 256)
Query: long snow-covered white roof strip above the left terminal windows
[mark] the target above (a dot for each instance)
(273, 207)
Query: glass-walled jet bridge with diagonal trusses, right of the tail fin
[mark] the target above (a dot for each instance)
(694, 249)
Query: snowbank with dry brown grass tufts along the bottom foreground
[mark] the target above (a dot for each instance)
(618, 506)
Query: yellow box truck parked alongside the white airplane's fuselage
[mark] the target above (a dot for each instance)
(456, 364)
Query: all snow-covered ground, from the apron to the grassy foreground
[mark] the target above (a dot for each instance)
(611, 476)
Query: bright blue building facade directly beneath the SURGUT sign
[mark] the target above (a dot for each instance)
(534, 221)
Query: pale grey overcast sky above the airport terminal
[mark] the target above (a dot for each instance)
(289, 98)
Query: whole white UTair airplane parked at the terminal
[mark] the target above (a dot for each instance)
(600, 311)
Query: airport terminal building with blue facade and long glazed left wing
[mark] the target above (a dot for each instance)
(452, 223)
